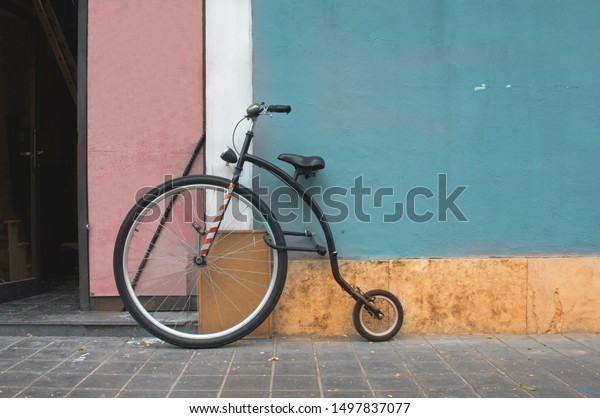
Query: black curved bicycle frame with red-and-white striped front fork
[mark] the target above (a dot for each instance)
(245, 156)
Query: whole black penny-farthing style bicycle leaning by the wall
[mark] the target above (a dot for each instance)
(196, 297)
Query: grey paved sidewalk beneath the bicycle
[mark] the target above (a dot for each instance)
(410, 366)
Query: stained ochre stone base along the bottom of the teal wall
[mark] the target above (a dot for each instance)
(462, 296)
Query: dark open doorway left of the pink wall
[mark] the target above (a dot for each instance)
(38, 152)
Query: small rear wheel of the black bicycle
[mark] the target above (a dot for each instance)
(378, 329)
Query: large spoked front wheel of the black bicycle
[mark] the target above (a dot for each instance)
(185, 299)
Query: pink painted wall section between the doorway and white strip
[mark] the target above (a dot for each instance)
(145, 110)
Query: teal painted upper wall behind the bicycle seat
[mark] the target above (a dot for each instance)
(501, 96)
